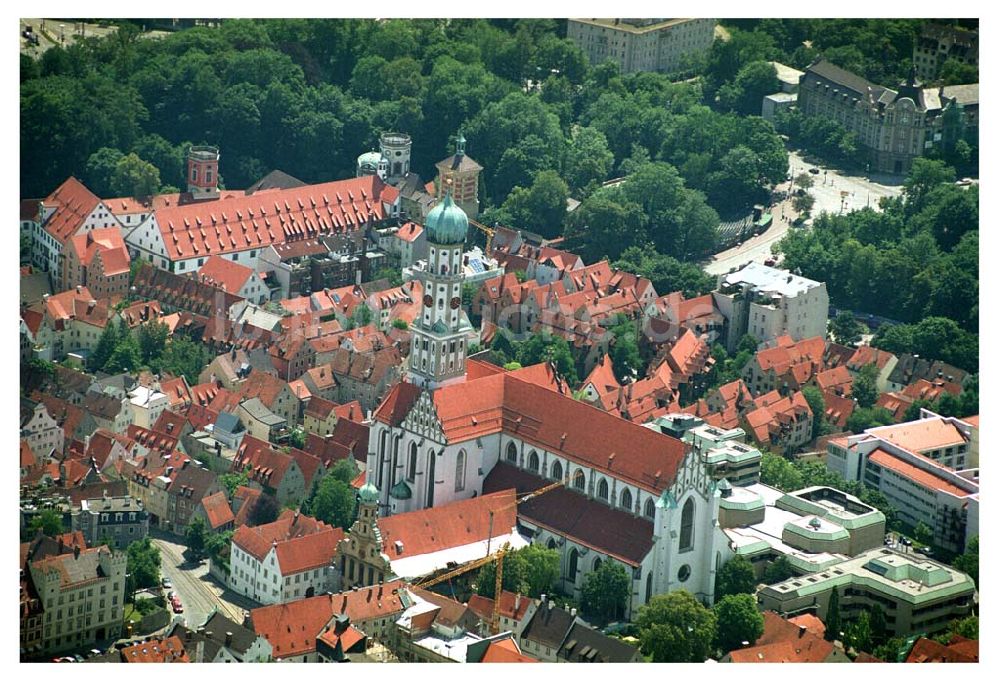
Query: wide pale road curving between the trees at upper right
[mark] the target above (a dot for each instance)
(826, 189)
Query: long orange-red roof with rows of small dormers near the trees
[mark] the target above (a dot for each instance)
(241, 222)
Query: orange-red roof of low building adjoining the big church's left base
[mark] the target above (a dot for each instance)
(452, 525)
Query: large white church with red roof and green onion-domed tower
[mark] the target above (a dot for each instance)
(457, 429)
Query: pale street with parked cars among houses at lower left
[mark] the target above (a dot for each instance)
(199, 592)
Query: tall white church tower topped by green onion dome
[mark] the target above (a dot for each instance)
(438, 354)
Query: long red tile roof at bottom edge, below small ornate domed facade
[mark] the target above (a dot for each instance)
(292, 628)
